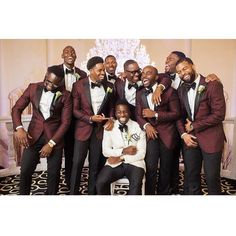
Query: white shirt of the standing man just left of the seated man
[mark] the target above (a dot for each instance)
(97, 96)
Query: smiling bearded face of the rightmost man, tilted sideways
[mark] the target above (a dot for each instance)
(186, 72)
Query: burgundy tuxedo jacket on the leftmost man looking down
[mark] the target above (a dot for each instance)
(60, 114)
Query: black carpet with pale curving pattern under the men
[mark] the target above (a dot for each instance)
(10, 185)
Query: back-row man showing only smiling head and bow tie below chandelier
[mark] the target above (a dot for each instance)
(110, 64)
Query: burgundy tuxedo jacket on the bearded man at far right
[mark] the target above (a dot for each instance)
(209, 112)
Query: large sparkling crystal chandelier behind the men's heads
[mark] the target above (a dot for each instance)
(122, 49)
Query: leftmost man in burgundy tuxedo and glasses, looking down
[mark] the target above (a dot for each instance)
(52, 110)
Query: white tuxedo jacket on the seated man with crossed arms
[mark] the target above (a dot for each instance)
(114, 141)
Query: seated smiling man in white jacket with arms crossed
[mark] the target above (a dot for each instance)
(125, 148)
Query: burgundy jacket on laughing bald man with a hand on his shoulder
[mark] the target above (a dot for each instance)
(168, 113)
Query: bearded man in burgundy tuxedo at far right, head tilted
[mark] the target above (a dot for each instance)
(201, 127)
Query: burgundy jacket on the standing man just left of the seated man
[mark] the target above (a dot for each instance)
(82, 108)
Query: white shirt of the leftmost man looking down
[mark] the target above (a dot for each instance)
(45, 103)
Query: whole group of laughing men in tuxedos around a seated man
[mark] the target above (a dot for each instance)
(131, 125)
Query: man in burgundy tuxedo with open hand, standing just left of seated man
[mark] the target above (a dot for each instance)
(92, 108)
